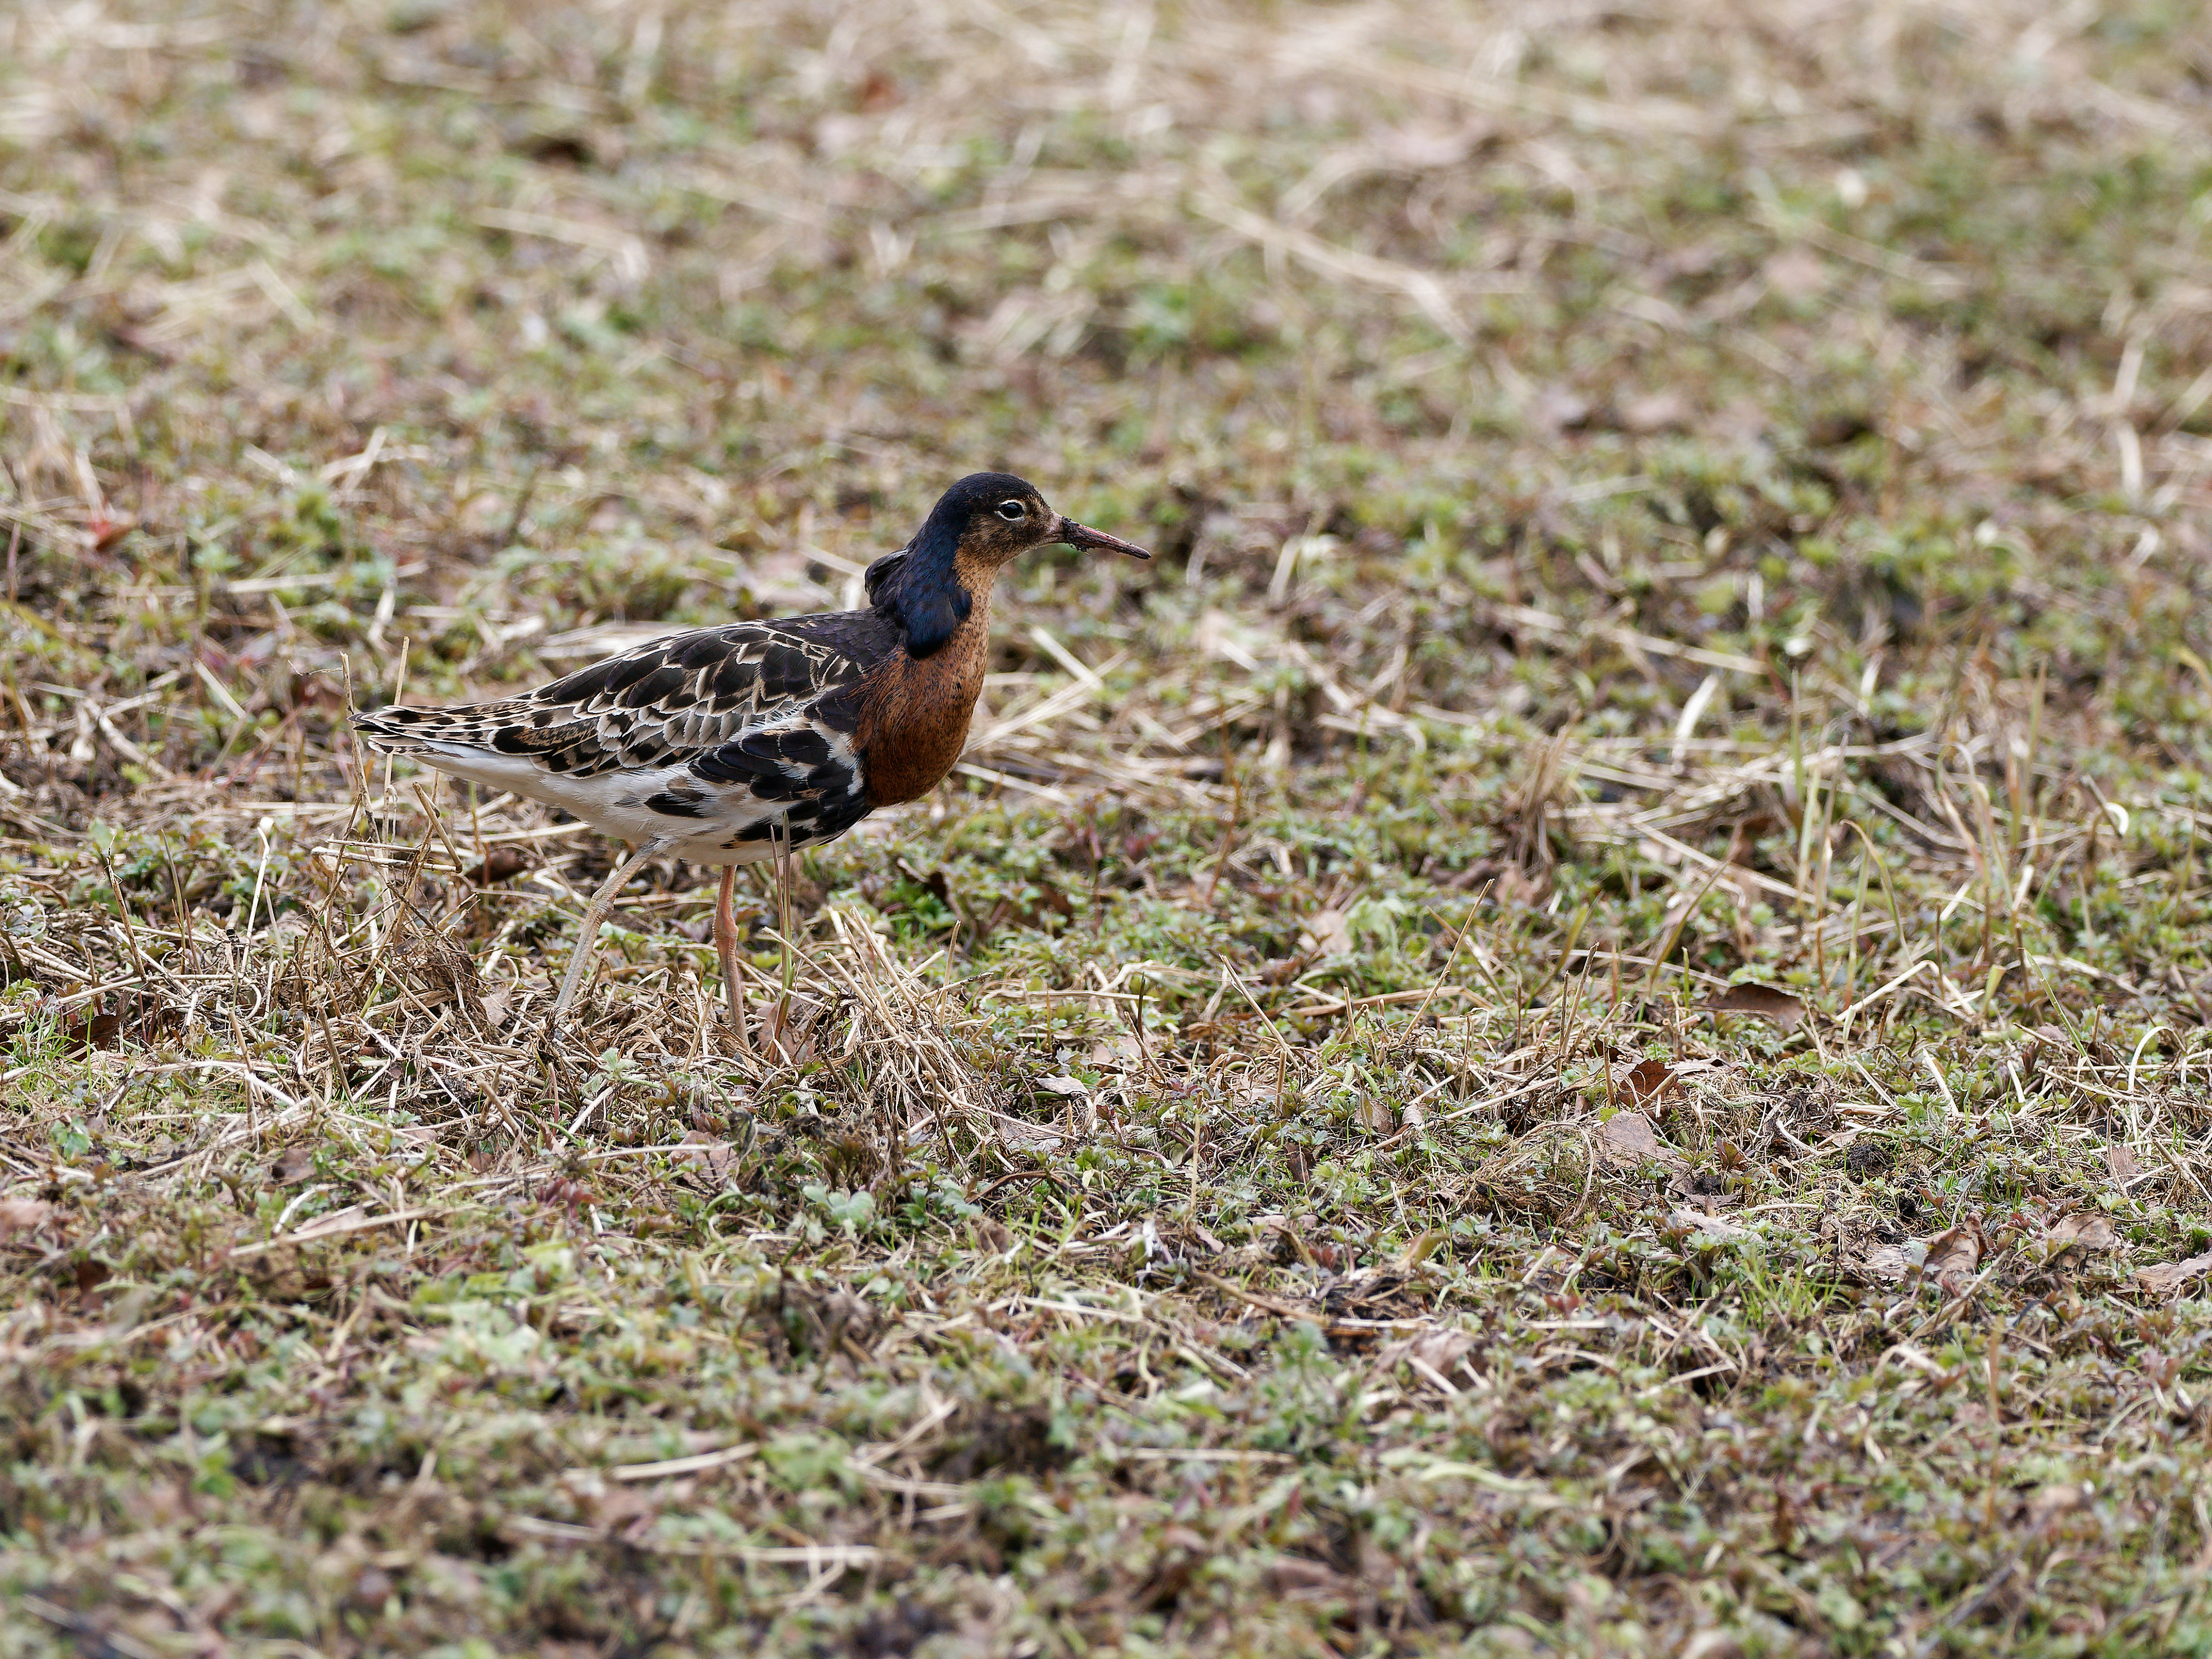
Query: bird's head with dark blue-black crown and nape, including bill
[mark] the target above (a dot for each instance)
(974, 530)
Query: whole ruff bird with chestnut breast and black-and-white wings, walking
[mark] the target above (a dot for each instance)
(738, 744)
